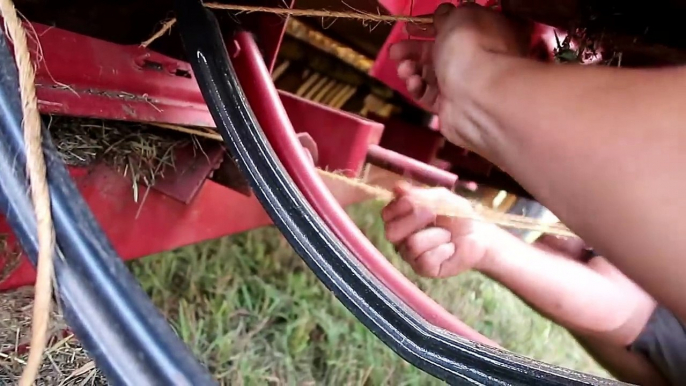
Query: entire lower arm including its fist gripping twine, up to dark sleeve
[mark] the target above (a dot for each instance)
(602, 308)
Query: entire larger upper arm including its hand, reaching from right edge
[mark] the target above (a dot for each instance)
(601, 147)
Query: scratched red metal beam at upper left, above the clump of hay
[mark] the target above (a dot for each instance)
(111, 81)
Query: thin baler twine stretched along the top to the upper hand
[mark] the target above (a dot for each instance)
(323, 13)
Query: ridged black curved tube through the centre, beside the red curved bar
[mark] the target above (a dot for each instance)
(441, 354)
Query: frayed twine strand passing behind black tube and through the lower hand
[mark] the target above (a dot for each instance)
(480, 213)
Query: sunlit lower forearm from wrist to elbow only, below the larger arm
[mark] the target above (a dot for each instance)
(561, 289)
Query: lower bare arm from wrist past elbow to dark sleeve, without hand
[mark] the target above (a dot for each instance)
(602, 309)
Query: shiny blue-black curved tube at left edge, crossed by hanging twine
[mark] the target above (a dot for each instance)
(113, 318)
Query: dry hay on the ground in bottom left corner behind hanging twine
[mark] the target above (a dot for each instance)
(65, 362)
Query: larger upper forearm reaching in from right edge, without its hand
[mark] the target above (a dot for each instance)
(603, 149)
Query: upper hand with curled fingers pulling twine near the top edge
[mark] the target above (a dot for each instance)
(450, 75)
